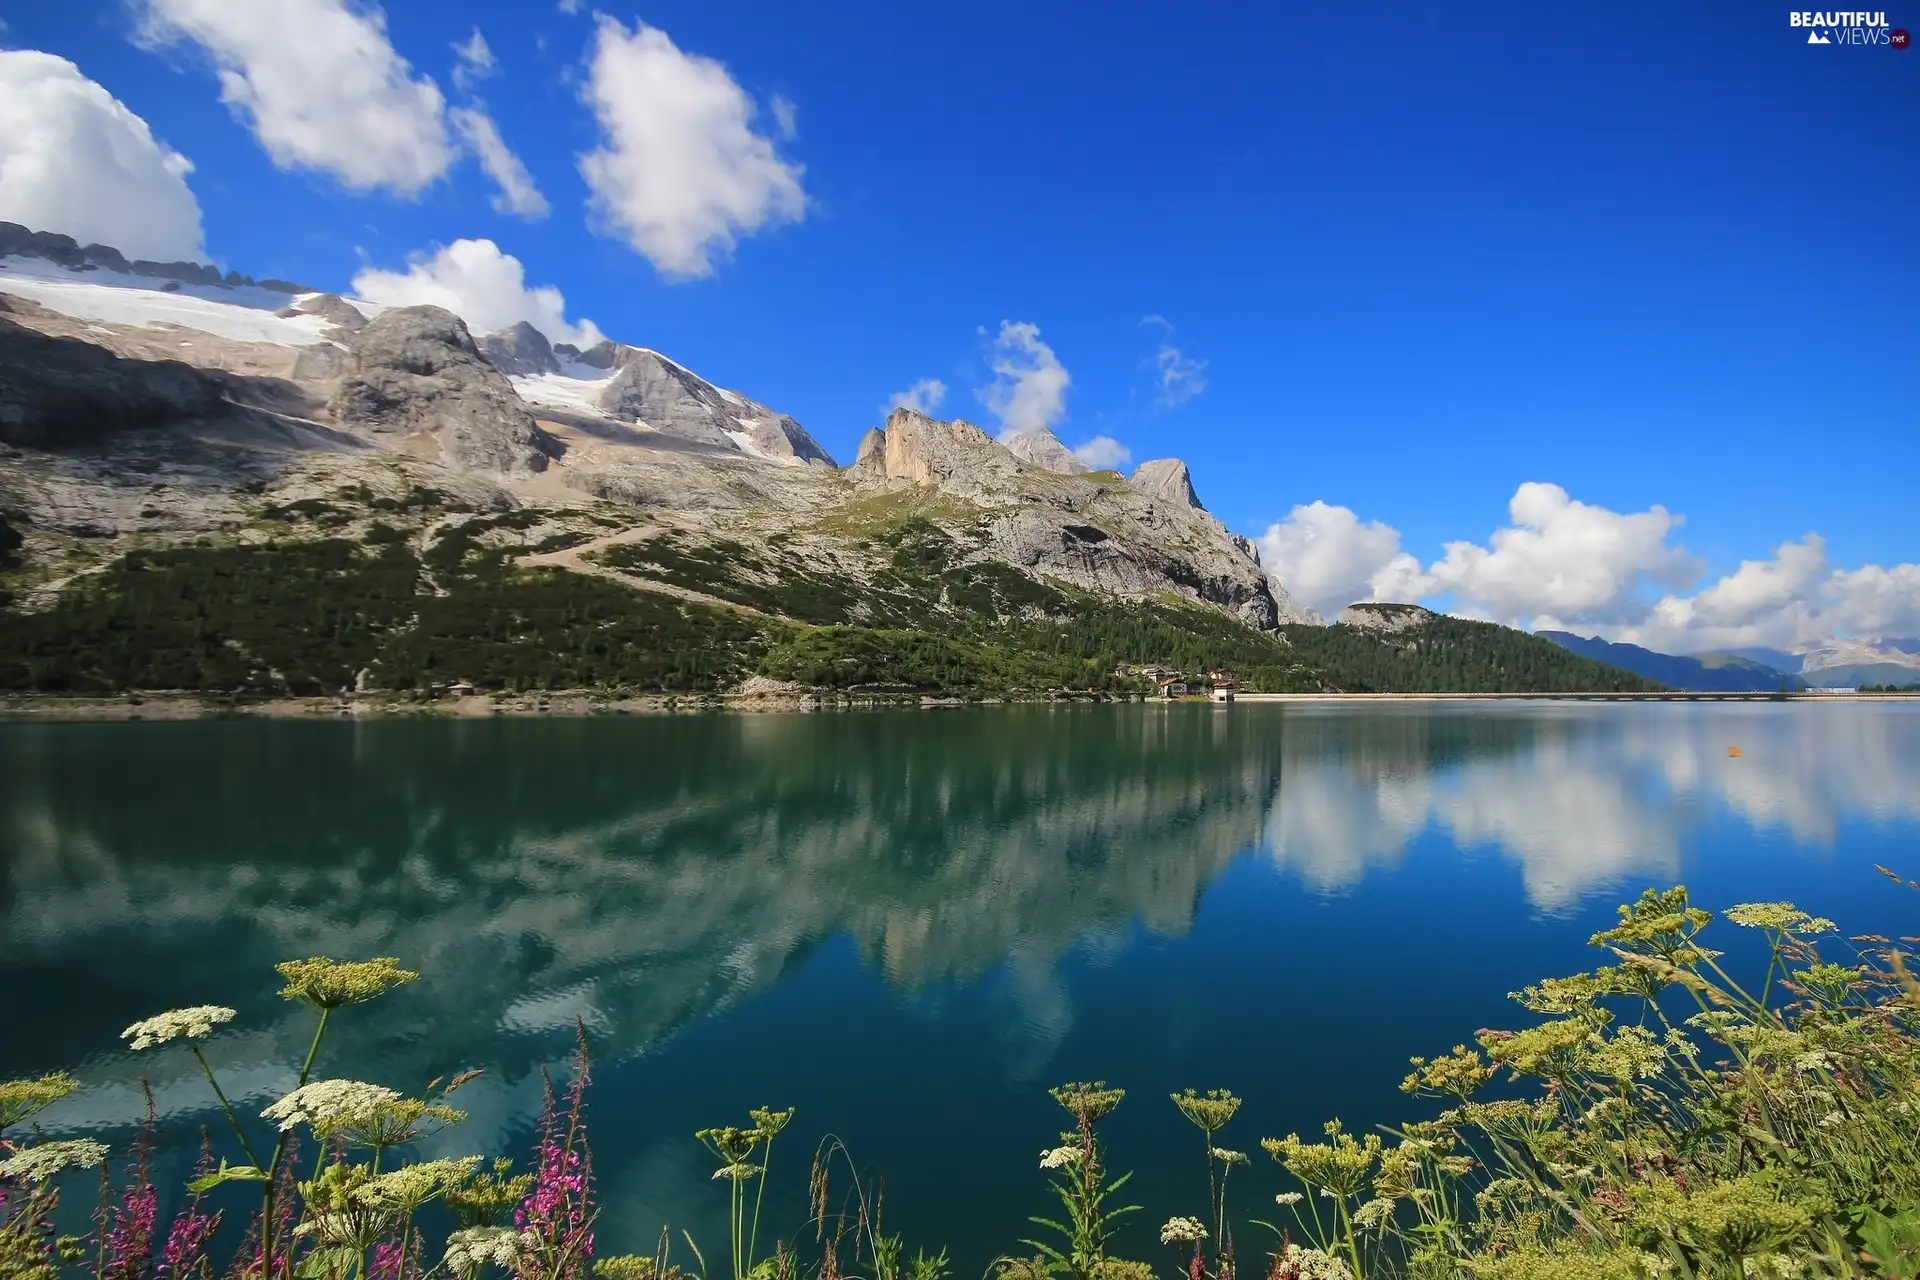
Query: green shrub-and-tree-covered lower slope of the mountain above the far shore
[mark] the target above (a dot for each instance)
(420, 594)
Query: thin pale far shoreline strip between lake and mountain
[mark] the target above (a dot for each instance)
(180, 707)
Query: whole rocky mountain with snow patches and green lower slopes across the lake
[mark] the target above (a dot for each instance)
(228, 485)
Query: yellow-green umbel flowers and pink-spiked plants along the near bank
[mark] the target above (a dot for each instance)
(1656, 1120)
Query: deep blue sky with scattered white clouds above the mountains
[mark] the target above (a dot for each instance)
(1658, 256)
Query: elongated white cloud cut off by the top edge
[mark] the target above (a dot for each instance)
(322, 87)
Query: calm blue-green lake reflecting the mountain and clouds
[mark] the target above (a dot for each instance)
(903, 924)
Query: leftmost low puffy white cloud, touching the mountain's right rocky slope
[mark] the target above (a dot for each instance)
(1330, 559)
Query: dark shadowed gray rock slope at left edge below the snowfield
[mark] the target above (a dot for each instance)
(60, 392)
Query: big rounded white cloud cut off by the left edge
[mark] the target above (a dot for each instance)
(76, 160)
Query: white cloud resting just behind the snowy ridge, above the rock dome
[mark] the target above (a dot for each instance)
(481, 285)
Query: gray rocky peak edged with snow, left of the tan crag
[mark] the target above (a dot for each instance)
(677, 402)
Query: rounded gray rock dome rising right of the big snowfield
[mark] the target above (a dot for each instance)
(418, 369)
